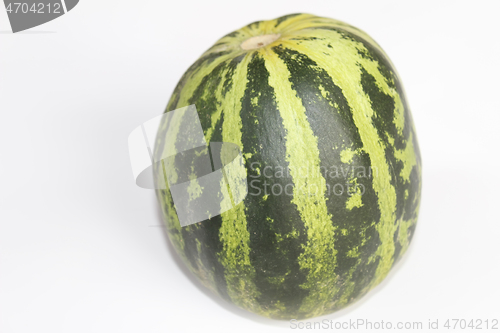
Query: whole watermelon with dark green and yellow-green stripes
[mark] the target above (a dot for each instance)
(332, 161)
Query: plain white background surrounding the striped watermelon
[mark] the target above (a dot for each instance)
(81, 247)
